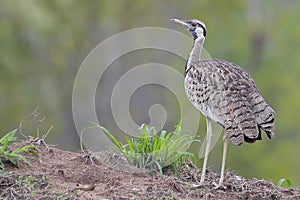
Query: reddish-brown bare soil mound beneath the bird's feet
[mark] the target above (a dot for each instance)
(58, 174)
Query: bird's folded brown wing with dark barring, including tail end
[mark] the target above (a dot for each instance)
(237, 102)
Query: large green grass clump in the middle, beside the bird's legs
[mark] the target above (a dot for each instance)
(153, 151)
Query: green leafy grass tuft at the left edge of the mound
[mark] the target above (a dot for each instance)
(13, 156)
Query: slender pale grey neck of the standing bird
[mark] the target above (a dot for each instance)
(195, 54)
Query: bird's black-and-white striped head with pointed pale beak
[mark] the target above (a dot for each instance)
(195, 27)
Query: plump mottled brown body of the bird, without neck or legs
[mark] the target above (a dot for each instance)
(224, 92)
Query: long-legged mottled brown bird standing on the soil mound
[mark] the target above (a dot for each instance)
(226, 94)
